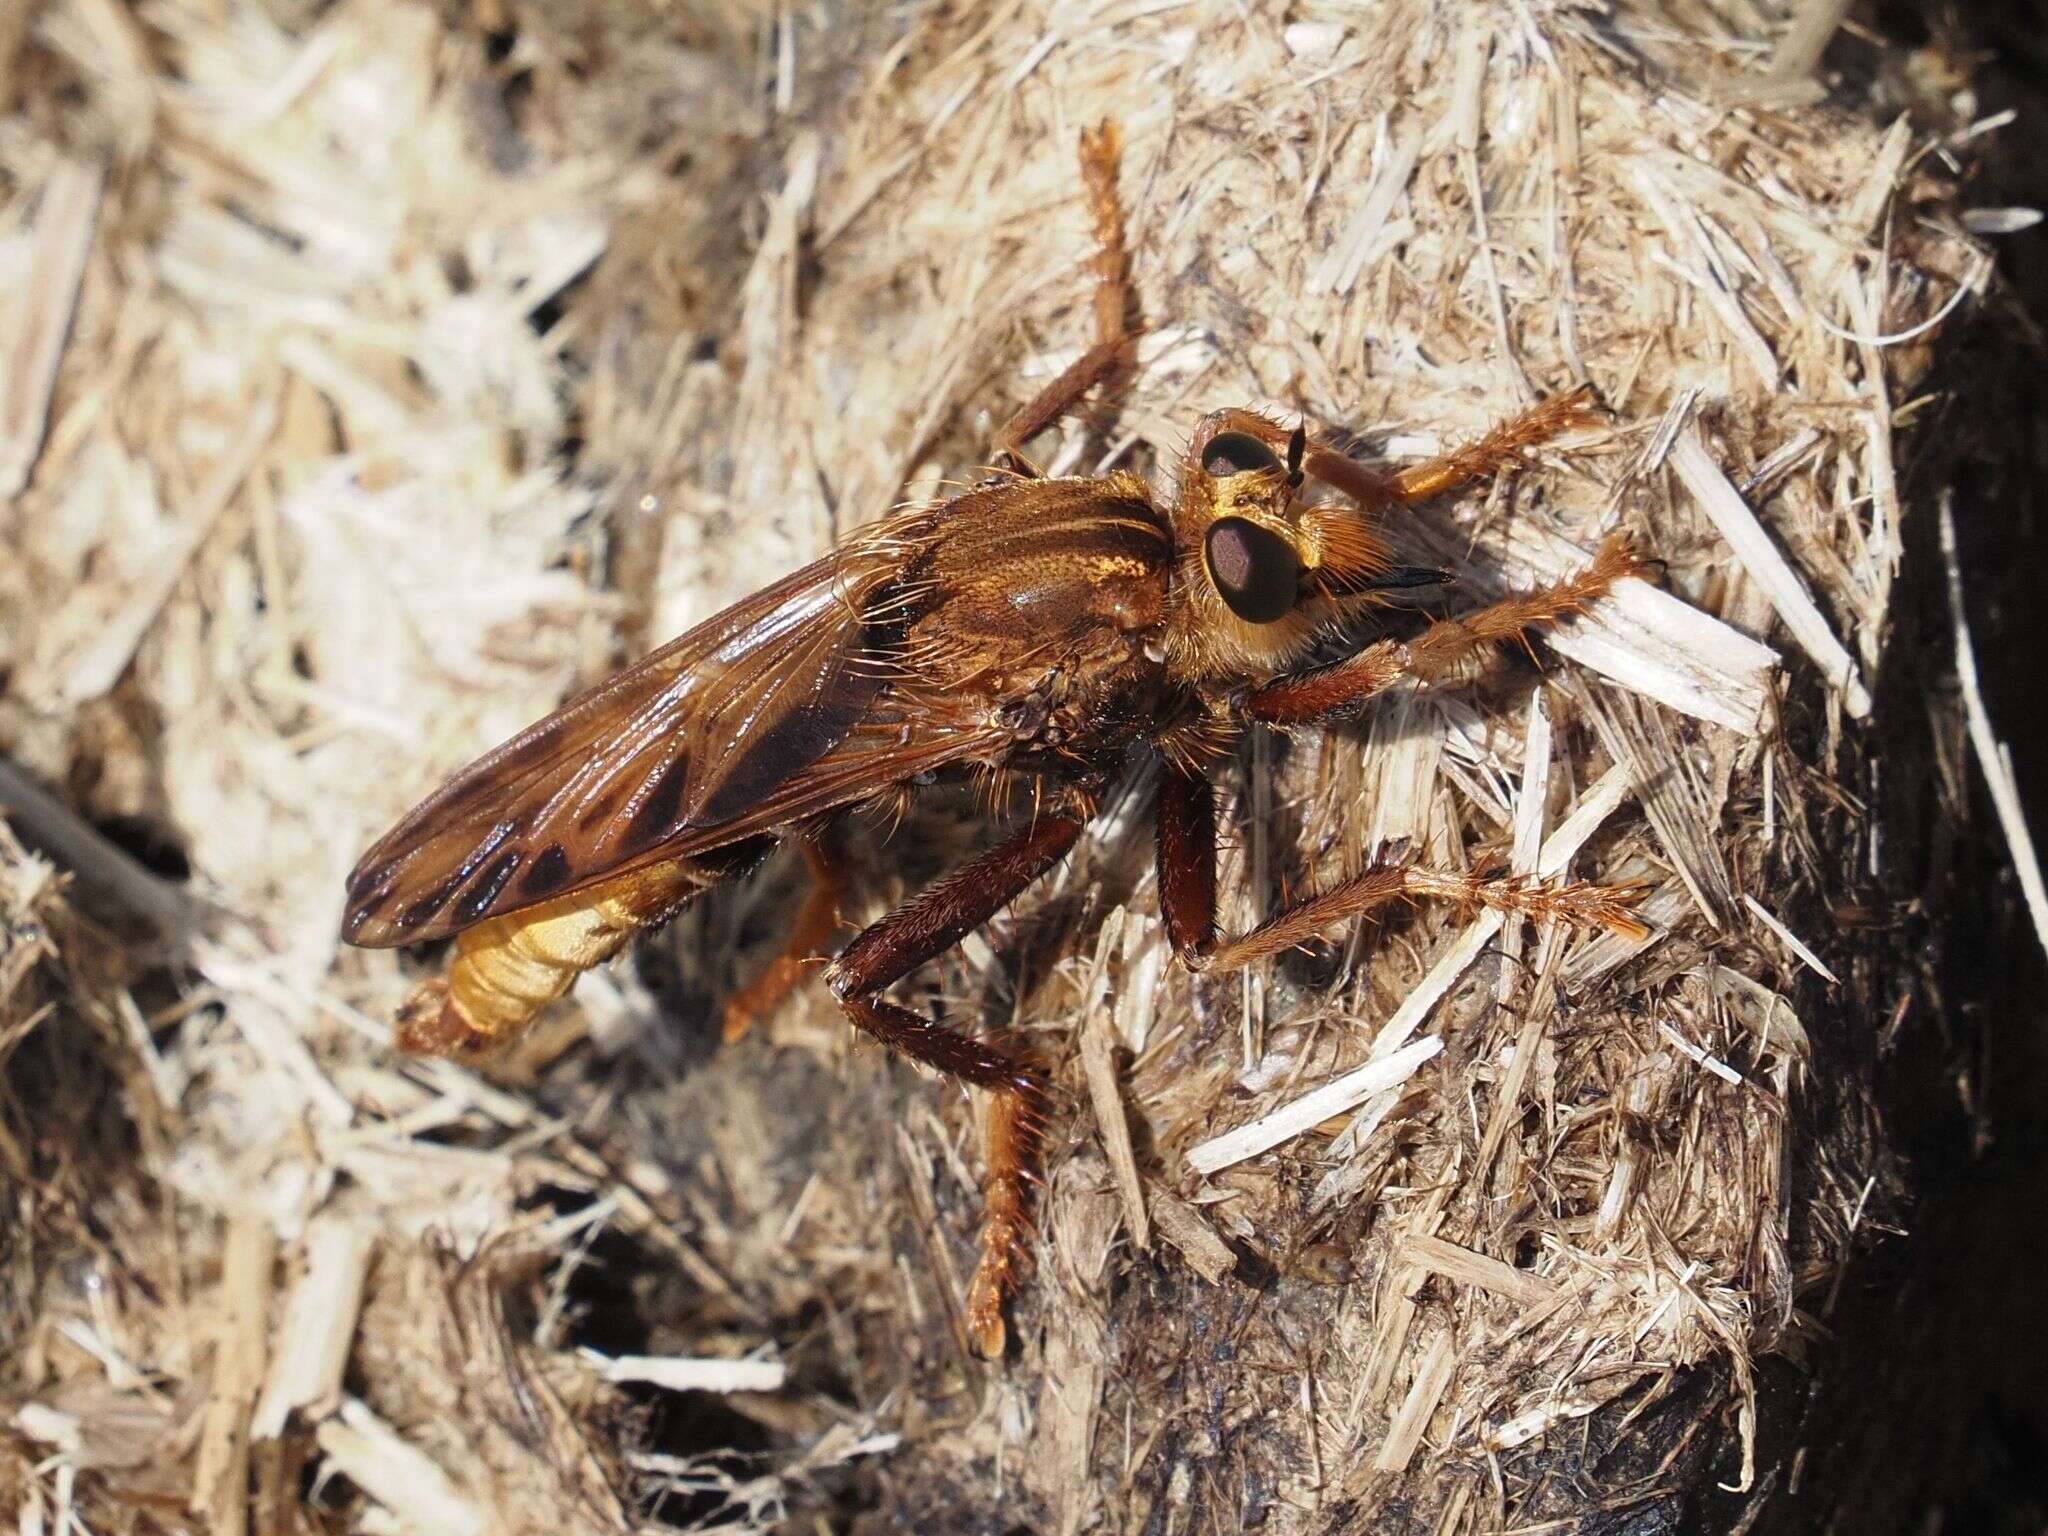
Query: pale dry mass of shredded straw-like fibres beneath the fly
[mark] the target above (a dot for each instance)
(376, 374)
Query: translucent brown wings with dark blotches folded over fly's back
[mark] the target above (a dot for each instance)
(771, 712)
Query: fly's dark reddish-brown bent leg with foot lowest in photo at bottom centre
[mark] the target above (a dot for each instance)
(921, 931)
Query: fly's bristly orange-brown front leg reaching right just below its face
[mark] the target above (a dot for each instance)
(1342, 689)
